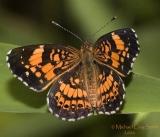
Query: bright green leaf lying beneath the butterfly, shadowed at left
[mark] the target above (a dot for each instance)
(142, 93)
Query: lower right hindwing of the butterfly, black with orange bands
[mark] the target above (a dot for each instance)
(111, 89)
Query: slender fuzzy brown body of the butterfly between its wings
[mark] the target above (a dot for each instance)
(89, 73)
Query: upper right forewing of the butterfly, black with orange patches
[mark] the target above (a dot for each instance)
(118, 50)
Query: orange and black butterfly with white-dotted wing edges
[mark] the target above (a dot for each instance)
(83, 81)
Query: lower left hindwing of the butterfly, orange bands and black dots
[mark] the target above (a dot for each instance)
(68, 98)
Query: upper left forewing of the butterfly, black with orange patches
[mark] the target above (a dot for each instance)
(39, 65)
